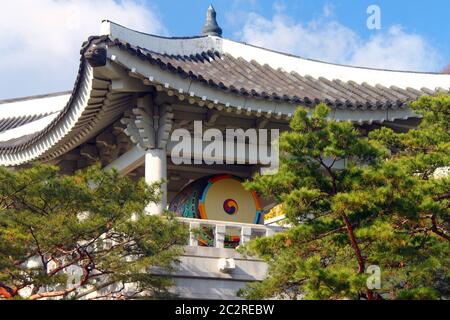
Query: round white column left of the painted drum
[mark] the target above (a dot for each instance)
(155, 171)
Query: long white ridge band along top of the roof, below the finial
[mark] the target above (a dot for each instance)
(186, 46)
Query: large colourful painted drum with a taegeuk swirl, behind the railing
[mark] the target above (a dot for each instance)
(221, 198)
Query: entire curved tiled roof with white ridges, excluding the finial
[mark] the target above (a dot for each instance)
(208, 68)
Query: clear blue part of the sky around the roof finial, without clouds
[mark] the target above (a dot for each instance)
(427, 18)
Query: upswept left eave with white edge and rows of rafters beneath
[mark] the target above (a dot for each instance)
(90, 108)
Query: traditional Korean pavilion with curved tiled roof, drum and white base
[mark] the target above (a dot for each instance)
(134, 89)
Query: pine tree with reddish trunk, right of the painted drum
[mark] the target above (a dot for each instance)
(357, 205)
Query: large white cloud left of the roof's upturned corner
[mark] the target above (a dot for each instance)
(40, 40)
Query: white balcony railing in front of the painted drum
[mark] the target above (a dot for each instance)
(221, 232)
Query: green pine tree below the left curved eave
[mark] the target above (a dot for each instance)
(70, 236)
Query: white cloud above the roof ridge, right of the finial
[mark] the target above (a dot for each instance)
(329, 40)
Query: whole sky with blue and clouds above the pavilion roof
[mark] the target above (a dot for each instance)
(40, 39)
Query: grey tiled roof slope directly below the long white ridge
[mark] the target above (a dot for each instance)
(251, 79)
